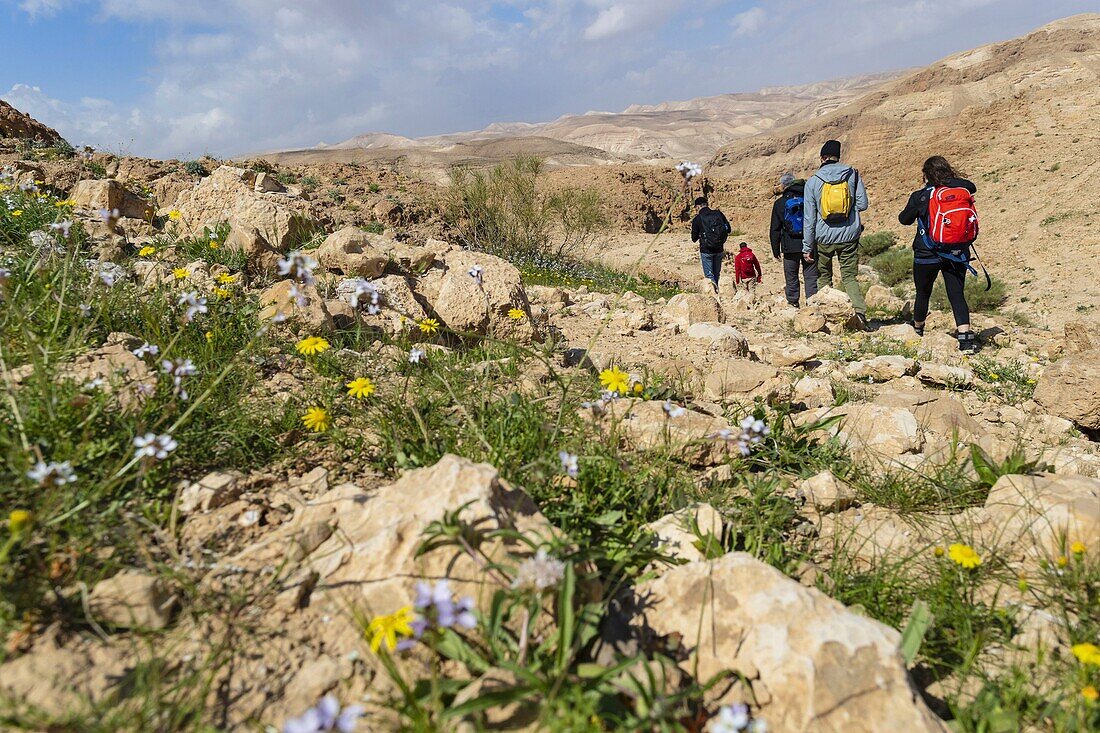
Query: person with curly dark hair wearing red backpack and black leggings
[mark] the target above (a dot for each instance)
(942, 244)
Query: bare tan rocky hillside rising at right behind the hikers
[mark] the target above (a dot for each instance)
(1013, 116)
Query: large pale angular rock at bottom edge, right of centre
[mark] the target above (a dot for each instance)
(815, 666)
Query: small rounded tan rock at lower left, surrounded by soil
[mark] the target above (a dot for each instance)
(133, 600)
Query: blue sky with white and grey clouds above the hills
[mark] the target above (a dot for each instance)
(182, 79)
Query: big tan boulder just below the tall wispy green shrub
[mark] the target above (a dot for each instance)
(467, 308)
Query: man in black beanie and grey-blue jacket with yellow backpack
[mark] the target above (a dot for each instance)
(833, 199)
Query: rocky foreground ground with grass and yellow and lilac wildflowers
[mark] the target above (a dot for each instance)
(676, 513)
